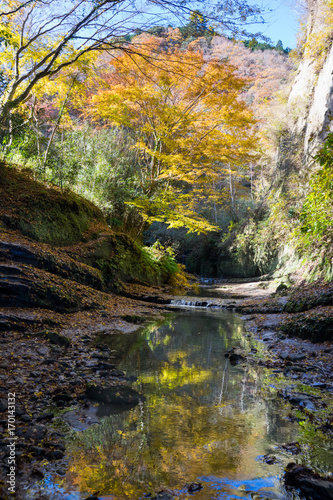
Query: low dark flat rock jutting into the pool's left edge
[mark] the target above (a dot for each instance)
(120, 395)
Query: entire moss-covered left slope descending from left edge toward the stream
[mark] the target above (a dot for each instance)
(58, 218)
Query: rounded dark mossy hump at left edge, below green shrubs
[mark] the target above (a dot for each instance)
(45, 214)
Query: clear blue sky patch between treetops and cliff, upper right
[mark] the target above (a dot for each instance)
(282, 22)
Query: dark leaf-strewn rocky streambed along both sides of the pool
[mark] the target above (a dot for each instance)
(57, 367)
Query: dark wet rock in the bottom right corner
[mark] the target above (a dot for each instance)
(310, 484)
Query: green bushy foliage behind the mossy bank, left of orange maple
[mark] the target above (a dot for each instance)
(97, 164)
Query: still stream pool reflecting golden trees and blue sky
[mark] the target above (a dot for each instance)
(202, 420)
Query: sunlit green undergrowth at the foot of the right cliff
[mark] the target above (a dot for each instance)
(301, 223)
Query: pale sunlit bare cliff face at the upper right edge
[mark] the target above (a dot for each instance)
(311, 98)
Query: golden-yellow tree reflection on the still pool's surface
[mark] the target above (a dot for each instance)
(193, 422)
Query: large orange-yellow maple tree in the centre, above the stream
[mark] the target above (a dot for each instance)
(190, 125)
